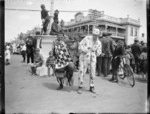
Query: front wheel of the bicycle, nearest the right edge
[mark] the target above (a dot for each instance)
(130, 76)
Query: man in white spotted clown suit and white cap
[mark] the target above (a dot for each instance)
(89, 49)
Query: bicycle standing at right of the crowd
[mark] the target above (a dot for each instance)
(127, 72)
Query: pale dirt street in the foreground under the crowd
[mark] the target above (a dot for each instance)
(31, 94)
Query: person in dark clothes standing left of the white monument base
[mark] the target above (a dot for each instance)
(30, 49)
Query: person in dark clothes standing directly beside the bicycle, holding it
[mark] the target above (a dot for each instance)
(118, 53)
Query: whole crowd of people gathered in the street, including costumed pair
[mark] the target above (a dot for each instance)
(97, 54)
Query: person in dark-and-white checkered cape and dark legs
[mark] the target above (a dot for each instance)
(63, 62)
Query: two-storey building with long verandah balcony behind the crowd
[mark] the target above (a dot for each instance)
(120, 28)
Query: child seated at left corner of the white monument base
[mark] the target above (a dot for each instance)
(38, 61)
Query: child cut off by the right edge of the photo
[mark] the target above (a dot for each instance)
(143, 63)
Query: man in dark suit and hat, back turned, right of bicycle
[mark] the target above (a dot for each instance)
(136, 50)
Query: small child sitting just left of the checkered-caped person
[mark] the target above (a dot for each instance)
(50, 63)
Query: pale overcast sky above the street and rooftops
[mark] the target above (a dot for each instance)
(20, 21)
